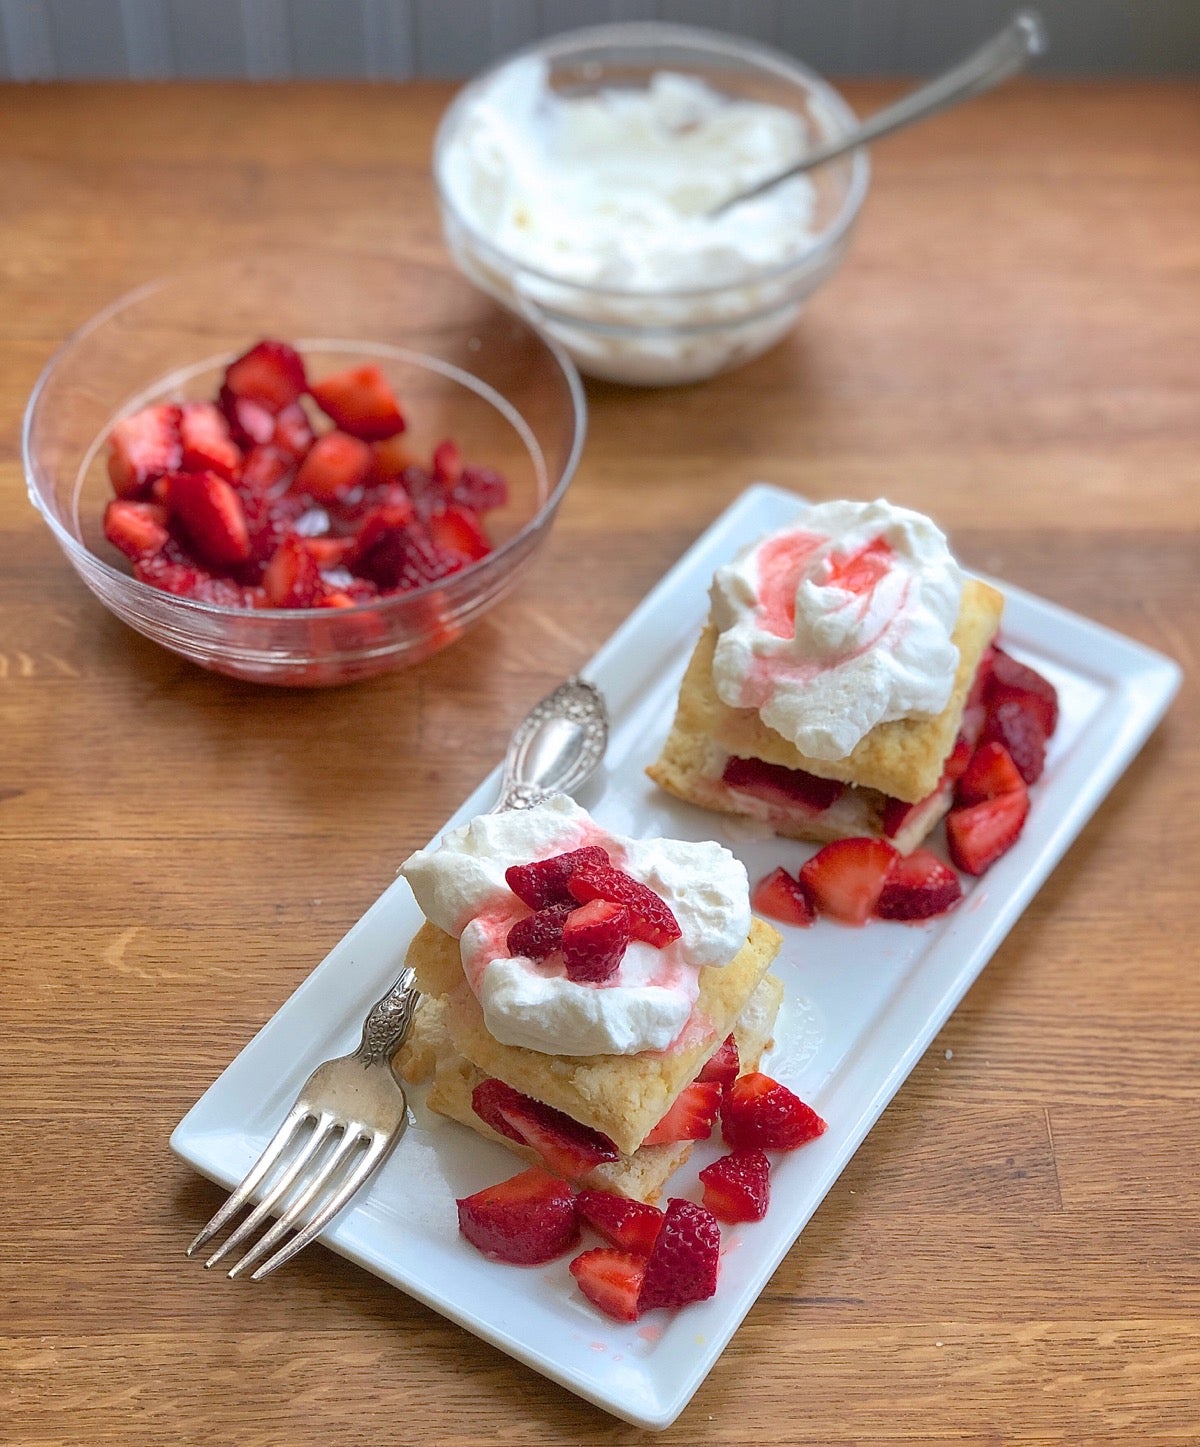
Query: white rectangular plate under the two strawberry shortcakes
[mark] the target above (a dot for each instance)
(862, 1005)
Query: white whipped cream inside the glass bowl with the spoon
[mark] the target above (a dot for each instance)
(613, 189)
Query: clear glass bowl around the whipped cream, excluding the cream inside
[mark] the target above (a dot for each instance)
(667, 336)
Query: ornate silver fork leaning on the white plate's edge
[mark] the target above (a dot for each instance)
(355, 1105)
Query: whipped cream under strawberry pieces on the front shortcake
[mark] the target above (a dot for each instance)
(461, 889)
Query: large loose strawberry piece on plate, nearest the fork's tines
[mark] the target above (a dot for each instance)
(526, 1221)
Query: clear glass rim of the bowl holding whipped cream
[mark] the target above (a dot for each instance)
(658, 33)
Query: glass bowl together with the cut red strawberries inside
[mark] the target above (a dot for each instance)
(303, 468)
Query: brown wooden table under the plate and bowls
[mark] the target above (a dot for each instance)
(1013, 1255)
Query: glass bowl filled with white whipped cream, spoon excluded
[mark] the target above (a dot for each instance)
(578, 182)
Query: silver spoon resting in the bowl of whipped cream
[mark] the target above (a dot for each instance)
(995, 61)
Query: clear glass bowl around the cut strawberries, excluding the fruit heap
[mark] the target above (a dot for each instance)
(461, 365)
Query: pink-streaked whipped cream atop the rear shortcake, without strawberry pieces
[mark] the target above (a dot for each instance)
(839, 623)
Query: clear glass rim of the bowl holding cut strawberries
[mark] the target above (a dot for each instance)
(77, 551)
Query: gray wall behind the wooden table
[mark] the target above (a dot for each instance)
(394, 40)
